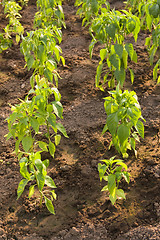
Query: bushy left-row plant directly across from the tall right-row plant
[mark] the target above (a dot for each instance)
(42, 53)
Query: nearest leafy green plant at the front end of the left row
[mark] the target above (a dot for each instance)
(32, 169)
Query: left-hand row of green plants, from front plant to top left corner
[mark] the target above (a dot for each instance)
(33, 122)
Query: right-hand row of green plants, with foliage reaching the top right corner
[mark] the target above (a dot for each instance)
(110, 28)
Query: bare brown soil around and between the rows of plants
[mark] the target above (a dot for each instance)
(82, 210)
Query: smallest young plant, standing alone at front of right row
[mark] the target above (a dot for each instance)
(112, 171)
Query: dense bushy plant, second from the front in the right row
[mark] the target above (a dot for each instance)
(123, 120)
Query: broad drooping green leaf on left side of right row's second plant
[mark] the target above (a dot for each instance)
(112, 122)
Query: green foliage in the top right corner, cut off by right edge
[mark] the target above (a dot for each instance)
(149, 14)
